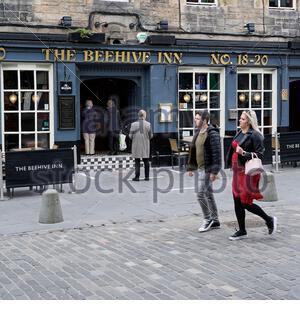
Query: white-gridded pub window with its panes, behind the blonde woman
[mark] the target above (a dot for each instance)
(256, 91)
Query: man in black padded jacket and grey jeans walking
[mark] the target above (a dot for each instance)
(205, 159)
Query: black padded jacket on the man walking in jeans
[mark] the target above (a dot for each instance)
(212, 152)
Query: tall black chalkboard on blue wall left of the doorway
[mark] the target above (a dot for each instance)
(66, 113)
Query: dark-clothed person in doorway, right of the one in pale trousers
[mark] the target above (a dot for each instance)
(113, 129)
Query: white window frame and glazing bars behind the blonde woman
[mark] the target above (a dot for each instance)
(261, 71)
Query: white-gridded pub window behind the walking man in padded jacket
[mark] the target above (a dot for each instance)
(199, 89)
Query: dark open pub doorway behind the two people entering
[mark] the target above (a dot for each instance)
(127, 98)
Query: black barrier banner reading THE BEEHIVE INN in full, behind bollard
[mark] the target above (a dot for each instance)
(39, 167)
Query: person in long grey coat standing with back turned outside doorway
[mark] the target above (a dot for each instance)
(141, 134)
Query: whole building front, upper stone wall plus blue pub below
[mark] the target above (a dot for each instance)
(171, 58)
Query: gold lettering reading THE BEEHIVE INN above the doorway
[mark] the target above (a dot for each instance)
(110, 56)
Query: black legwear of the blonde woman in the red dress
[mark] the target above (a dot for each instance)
(241, 214)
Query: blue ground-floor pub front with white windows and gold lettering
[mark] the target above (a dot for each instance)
(44, 86)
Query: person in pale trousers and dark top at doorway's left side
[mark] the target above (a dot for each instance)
(90, 123)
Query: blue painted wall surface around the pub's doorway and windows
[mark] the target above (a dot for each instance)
(155, 83)
